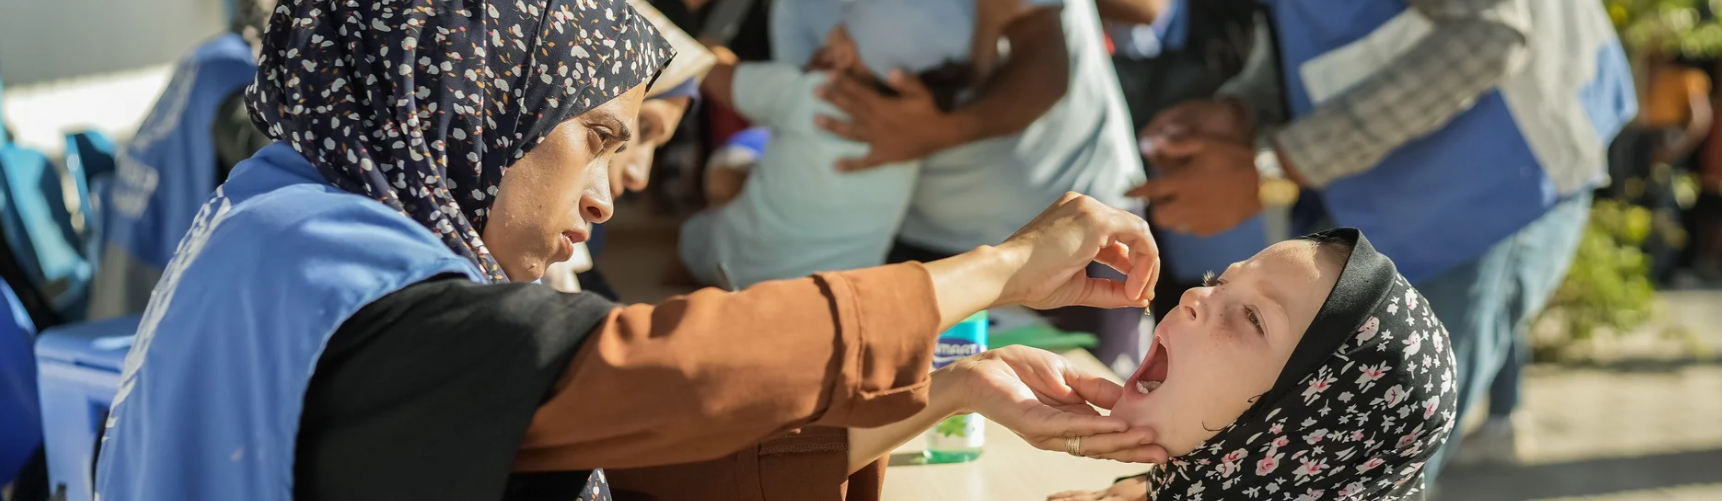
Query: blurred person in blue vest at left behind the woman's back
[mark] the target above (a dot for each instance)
(189, 144)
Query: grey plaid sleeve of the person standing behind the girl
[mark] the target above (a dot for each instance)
(1471, 49)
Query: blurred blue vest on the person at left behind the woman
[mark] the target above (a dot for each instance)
(166, 173)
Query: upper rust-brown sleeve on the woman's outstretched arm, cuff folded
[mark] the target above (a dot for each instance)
(709, 374)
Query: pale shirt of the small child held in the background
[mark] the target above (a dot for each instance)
(796, 214)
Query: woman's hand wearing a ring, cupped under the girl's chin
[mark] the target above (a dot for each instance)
(1046, 402)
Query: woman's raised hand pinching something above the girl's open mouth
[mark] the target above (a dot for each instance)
(1055, 252)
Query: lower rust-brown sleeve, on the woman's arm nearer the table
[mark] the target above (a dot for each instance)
(805, 466)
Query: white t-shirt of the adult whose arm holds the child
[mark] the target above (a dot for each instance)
(981, 194)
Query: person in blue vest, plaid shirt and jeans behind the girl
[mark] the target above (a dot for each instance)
(1465, 137)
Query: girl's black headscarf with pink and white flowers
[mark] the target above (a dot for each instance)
(1360, 409)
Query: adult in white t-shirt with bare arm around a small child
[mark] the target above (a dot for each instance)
(1046, 118)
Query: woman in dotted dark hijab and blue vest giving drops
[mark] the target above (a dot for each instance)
(352, 314)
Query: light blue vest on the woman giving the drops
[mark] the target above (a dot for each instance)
(276, 261)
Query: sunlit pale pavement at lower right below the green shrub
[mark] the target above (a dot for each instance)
(1642, 426)
